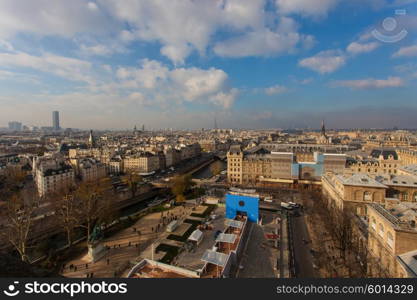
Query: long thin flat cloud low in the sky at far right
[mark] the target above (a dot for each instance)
(371, 83)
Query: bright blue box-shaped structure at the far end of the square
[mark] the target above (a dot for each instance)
(242, 204)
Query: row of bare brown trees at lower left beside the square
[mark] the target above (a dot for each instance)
(86, 206)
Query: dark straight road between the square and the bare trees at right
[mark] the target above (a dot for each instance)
(302, 257)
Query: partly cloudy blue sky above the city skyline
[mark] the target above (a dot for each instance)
(112, 64)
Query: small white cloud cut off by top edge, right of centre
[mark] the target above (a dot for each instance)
(308, 8)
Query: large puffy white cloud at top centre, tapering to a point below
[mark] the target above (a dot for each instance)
(184, 26)
